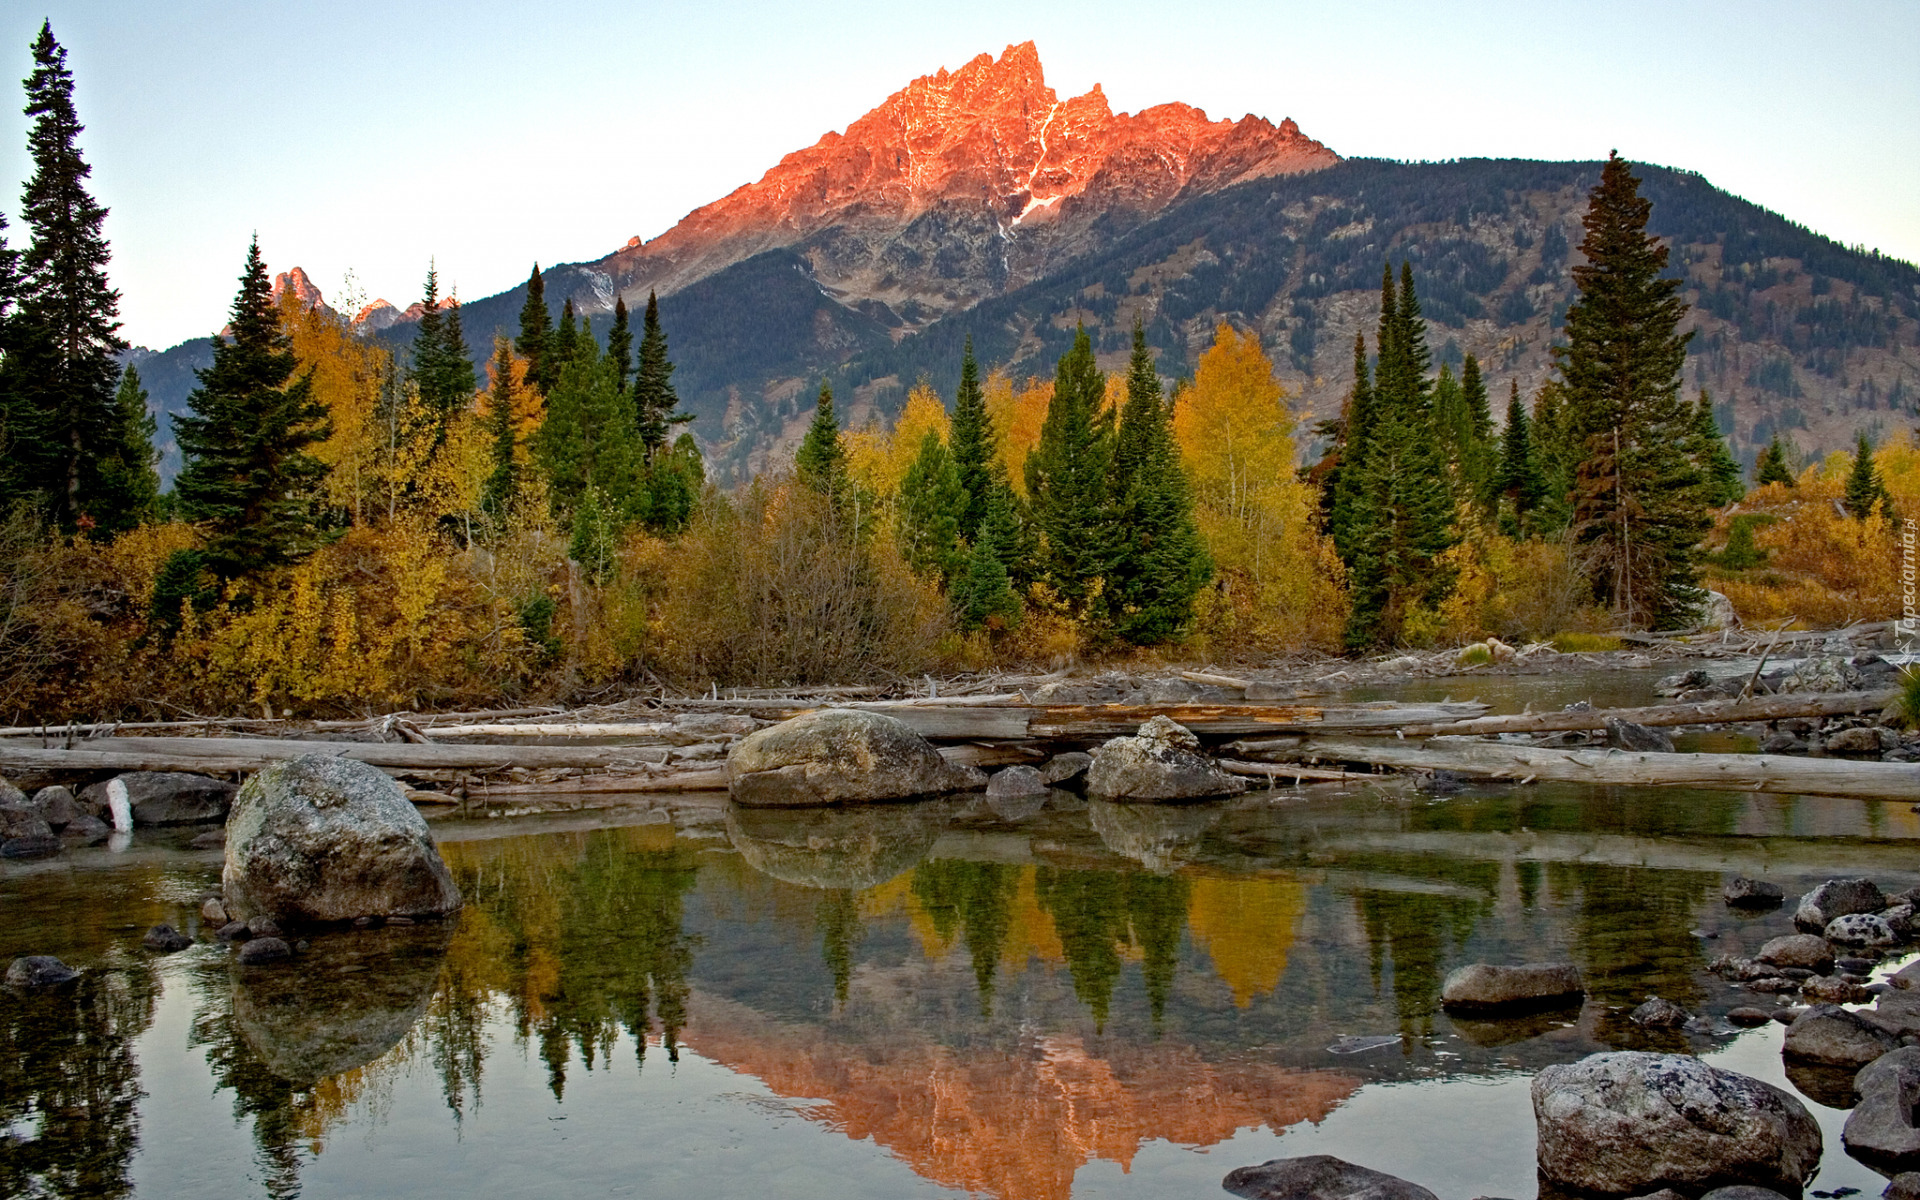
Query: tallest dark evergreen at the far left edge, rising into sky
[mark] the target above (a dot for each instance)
(60, 352)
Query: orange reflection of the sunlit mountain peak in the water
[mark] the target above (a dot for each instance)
(1019, 1120)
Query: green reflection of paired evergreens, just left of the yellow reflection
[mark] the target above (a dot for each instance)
(1099, 915)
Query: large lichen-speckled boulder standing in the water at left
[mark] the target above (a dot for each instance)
(331, 840)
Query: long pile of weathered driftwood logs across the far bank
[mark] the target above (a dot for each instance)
(679, 744)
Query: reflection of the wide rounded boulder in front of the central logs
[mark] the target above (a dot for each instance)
(836, 848)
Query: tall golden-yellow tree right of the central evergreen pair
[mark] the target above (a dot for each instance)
(1280, 581)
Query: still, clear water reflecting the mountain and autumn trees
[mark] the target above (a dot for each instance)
(1032, 1003)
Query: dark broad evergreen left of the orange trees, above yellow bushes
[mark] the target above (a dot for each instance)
(249, 477)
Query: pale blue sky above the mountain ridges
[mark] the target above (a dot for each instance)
(485, 135)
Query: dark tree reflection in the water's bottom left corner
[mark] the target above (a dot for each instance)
(70, 1086)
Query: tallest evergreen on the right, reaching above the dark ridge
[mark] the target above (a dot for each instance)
(1637, 498)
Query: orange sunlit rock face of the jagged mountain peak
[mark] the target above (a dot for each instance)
(990, 139)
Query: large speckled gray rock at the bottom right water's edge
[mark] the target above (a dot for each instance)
(1627, 1124)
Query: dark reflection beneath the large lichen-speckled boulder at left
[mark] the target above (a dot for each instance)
(341, 1005)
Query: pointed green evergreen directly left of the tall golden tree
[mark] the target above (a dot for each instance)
(1159, 560)
